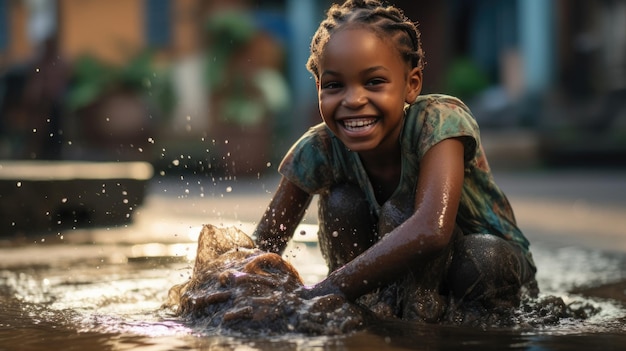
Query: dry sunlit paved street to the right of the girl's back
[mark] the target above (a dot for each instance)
(579, 208)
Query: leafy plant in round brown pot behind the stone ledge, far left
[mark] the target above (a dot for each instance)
(115, 106)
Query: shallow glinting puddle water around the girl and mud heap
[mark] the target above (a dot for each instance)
(100, 301)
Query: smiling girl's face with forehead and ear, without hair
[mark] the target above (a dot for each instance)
(362, 88)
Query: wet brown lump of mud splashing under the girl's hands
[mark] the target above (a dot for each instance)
(238, 288)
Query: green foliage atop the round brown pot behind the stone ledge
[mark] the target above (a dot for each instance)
(93, 79)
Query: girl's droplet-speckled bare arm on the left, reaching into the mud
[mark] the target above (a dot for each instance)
(281, 217)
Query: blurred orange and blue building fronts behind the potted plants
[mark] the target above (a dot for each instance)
(553, 66)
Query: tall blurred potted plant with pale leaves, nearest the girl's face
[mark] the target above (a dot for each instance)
(247, 90)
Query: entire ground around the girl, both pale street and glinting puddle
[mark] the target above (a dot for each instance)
(102, 289)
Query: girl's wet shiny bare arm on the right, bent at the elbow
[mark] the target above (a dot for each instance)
(422, 236)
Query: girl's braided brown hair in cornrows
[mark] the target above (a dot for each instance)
(386, 21)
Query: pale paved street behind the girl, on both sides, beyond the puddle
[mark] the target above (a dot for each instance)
(563, 207)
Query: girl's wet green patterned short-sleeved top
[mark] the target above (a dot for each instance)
(318, 161)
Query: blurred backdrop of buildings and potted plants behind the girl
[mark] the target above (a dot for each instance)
(221, 86)
